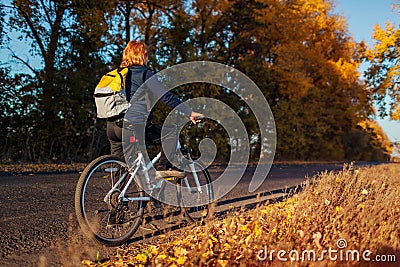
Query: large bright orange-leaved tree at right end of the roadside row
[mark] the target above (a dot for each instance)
(314, 86)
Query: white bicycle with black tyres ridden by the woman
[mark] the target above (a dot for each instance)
(110, 199)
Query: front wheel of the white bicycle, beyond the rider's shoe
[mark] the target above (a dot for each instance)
(195, 201)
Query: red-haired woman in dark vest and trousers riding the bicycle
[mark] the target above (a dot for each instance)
(135, 57)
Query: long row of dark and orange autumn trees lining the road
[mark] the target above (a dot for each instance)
(298, 52)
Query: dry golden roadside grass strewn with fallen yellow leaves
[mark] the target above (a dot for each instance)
(361, 206)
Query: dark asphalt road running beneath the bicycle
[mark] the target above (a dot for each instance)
(38, 225)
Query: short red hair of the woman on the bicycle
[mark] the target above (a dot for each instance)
(135, 53)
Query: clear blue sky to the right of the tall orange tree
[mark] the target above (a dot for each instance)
(362, 16)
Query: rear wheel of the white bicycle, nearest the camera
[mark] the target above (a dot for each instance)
(110, 220)
